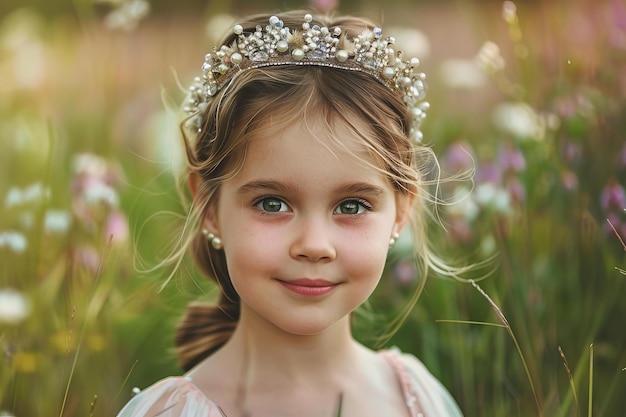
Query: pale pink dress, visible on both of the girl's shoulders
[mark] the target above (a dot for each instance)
(179, 397)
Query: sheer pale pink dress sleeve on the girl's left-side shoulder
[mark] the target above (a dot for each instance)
(171, 397)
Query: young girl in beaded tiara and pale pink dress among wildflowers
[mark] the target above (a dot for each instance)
(305, 165)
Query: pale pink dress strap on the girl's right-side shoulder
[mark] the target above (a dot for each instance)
(424, 394)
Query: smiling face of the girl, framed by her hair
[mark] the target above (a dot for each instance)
(305, 227)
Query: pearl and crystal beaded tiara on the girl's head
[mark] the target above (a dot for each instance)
(276, 44)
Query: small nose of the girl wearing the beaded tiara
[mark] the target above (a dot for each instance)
(313, 241)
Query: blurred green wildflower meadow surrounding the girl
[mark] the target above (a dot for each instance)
(530, 94)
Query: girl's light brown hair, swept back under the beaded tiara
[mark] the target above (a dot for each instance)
(237, 113)
